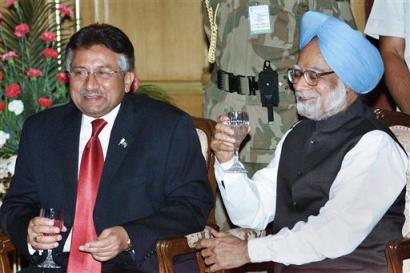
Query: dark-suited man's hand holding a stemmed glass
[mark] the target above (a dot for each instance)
(37, 228)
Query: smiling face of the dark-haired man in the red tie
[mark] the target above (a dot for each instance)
(96, 96)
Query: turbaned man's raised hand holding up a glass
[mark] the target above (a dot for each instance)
(223, 140)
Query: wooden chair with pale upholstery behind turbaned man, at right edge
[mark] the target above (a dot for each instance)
(399, 123)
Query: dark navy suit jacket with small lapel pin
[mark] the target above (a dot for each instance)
(156, 187)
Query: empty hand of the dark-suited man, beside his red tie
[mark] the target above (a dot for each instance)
(109, 244)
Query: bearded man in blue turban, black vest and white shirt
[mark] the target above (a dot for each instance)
(334, 190)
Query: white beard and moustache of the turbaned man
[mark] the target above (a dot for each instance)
(336, 102)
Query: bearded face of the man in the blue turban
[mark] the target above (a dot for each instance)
(329, 96)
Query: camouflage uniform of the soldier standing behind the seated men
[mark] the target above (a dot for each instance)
(240, 53)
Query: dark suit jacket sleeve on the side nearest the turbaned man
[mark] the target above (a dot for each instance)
(188, 196)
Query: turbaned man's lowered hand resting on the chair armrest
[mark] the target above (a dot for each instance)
(224, 251)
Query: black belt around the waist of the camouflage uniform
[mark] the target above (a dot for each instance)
(245, 85)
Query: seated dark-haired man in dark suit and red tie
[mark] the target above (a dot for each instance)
(152, 182)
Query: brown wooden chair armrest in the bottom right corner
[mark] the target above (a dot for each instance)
(397, 251)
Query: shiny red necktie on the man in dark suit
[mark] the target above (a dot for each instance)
(92, 163)
